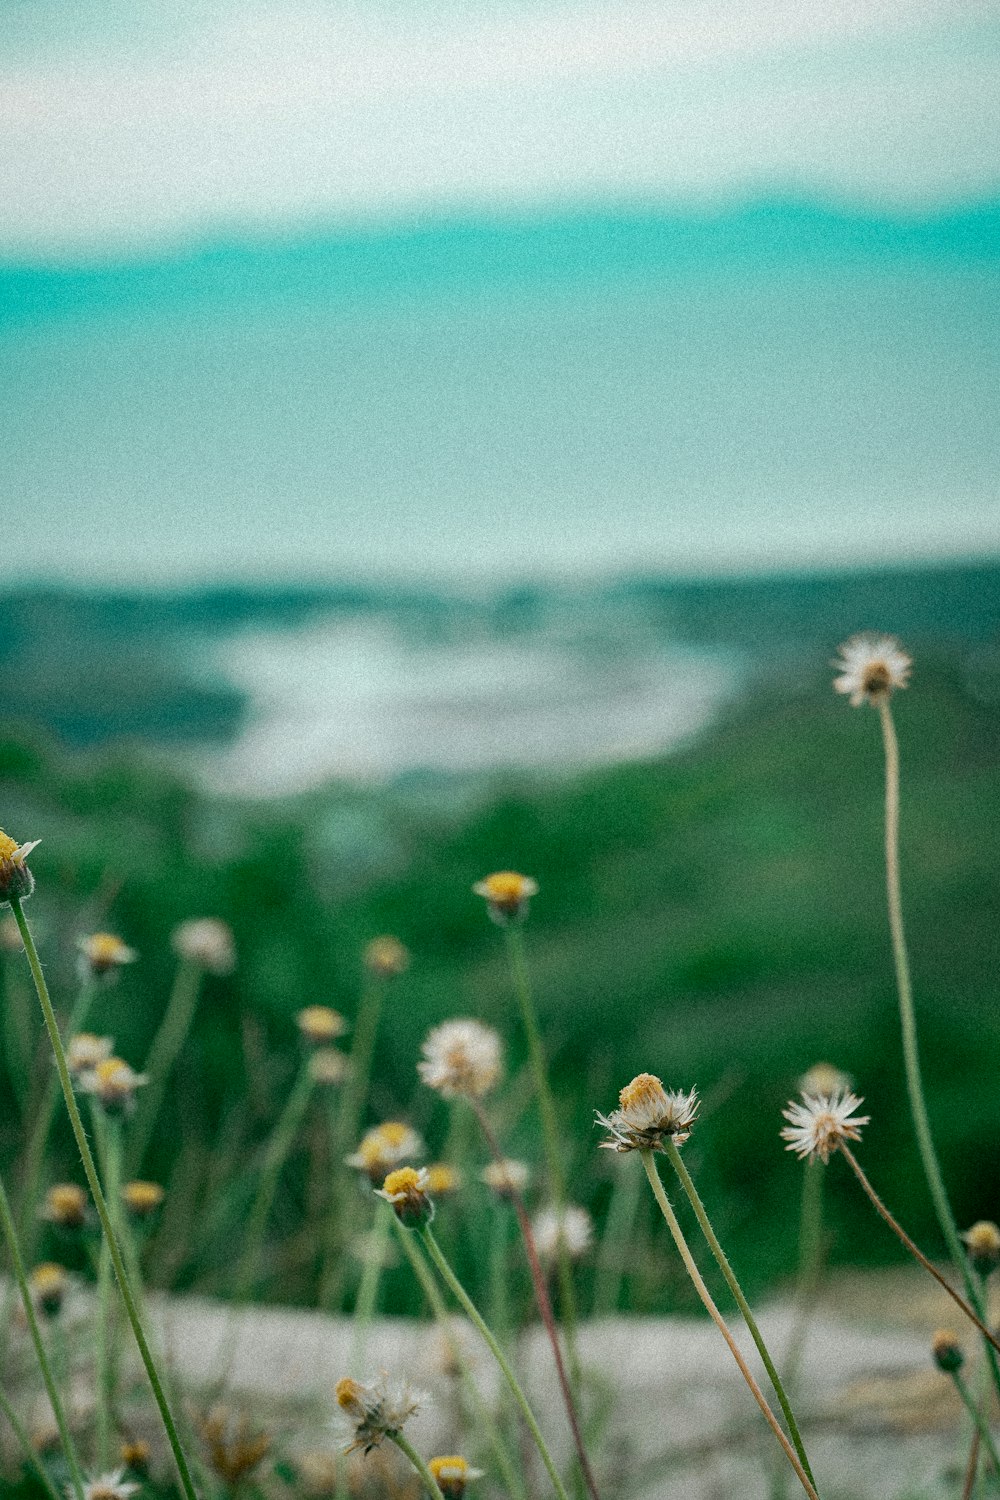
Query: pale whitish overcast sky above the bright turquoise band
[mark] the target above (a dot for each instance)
(128, 127)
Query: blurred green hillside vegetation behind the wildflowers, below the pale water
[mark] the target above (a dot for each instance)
(716, 917)
